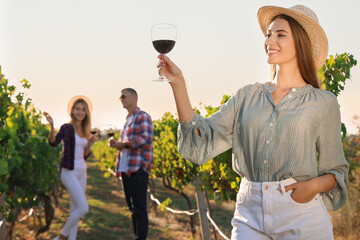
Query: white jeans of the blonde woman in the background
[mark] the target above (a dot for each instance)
(75, 183)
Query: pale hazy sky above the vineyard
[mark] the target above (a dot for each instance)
(98, 47)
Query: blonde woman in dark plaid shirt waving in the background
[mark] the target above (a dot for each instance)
(77, 140)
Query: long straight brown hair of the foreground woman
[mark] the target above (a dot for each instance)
(304, 55)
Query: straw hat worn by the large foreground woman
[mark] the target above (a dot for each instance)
(307, 19)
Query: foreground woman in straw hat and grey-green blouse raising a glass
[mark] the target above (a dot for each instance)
(285, 137)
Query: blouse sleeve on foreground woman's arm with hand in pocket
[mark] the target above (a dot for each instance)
(331, 155)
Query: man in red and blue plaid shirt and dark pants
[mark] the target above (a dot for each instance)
(134, 160)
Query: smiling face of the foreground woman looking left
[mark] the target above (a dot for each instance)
(279, 43)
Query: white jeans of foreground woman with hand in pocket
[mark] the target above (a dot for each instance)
(264, 212)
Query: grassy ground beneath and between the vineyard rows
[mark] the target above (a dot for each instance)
(109, 217)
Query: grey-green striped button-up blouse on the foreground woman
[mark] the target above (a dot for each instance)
(300, 137)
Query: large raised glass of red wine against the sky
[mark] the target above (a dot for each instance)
(163, 36)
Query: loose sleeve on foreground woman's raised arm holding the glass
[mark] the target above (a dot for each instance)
(216, 134)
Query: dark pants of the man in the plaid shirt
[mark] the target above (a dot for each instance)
(135, 188)
